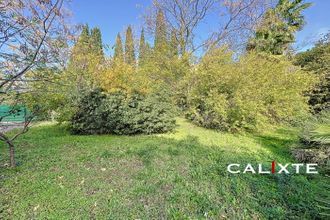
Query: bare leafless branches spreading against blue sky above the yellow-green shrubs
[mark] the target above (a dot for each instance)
(236, 21)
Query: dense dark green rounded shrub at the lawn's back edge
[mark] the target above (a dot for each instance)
(122, 113)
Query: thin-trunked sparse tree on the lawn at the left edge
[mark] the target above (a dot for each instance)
(26, 46)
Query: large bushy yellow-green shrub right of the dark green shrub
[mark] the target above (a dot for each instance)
(255, 91)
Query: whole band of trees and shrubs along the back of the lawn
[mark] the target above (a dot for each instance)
(225, 89)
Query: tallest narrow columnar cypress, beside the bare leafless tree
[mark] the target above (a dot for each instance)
(161, 33)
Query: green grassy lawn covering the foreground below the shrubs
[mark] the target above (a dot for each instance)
(177, 175)
